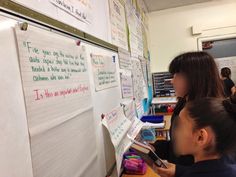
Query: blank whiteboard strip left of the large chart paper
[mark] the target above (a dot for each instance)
(15, 154)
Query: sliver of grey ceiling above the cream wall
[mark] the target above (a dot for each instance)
(155, 5)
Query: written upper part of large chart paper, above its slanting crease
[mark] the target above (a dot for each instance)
(55, 77)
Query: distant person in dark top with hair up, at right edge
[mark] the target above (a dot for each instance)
(229, 86)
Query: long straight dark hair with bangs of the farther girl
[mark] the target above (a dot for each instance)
(201, 72)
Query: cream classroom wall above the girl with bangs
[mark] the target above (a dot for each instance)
(171, 32)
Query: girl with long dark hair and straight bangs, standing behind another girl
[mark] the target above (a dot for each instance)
(195, 75)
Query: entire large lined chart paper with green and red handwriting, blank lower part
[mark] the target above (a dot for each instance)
(58, 103)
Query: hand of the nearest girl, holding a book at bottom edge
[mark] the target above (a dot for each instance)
(167, 172)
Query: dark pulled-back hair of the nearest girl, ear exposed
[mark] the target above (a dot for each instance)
(220, 115)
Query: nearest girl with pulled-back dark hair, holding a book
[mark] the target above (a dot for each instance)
(206, 129)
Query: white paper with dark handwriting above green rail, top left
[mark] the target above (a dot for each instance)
(98, 13)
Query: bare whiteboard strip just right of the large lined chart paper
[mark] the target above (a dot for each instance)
(103, 102)
